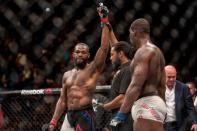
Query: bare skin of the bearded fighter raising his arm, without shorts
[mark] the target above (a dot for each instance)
(79, 84)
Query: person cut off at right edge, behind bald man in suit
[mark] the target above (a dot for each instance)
(193, 89)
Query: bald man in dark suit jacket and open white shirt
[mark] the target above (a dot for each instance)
(179, 103)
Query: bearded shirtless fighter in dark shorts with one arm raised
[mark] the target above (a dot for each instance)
(78, 86)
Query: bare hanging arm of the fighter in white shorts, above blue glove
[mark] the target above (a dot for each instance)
(140, 74)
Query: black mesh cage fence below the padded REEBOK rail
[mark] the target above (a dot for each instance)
(31, 112)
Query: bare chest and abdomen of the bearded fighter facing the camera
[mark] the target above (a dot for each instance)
(79, 85)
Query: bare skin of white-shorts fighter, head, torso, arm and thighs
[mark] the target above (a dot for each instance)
(148, 75)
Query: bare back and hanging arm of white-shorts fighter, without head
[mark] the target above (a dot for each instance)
(148, 72)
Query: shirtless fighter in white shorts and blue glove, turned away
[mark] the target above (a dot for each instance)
(147, 88)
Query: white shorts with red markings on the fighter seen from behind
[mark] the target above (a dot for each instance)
(149, 107)
